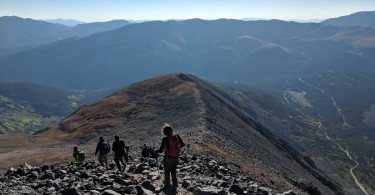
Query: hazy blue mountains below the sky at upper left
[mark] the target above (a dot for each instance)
(18, 34)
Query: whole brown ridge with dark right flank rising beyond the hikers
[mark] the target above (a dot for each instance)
(201, 113)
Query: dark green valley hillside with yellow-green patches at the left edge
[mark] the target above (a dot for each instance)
(27, 108)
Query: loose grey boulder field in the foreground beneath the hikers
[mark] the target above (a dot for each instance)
(196, 175)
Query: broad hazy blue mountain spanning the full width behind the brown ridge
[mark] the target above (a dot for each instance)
(221, 50)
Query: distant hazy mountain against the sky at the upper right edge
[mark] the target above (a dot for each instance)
(366, 19)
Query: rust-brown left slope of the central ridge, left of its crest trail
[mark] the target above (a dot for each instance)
(136, 113)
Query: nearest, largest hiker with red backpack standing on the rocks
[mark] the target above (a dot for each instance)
(171, 145)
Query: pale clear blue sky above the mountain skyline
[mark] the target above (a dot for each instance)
(104, 10)
